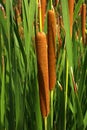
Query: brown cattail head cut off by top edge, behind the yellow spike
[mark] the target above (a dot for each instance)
(43, 11)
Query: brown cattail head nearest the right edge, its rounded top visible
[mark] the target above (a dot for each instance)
(83, 22)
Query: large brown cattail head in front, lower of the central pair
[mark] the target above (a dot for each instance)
(43, 78)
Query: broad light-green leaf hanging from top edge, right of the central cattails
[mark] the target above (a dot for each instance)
(68, 41)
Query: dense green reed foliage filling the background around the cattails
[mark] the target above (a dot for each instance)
(19, 93)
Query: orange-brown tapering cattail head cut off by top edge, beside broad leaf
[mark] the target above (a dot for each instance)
(71, 8)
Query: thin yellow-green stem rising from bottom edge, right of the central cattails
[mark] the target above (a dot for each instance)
(66, 94)
